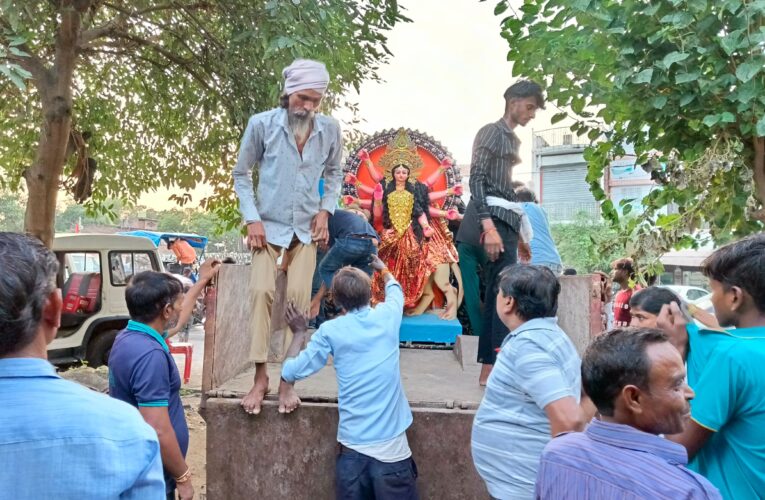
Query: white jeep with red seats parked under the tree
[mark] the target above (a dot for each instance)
(93, 272)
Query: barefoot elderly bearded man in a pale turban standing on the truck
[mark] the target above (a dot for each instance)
(291, 147)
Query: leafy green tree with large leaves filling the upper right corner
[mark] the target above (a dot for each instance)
(681, 80)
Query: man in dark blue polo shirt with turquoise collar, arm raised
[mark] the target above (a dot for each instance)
(142, 371)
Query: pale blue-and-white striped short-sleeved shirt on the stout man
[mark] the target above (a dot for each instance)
(537, 365)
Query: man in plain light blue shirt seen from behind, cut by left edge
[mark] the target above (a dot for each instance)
(57, 438)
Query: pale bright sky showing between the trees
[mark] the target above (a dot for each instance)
(446, 78)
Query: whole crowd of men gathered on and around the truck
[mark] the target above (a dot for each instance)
(621, 422)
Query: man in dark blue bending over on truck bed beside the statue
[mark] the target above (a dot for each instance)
(352, 242)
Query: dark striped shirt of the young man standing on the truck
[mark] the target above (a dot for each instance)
(495, 153)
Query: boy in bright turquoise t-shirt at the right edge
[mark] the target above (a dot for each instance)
(726, 369)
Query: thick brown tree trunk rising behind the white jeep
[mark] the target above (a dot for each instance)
(43, 177)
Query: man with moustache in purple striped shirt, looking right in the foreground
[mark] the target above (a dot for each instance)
(636, 379)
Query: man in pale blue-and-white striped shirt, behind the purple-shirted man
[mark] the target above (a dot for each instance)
(533, 392)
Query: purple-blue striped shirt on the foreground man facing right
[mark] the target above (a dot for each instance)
(610, 460)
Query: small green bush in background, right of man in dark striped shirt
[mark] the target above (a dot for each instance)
(581, 243)
